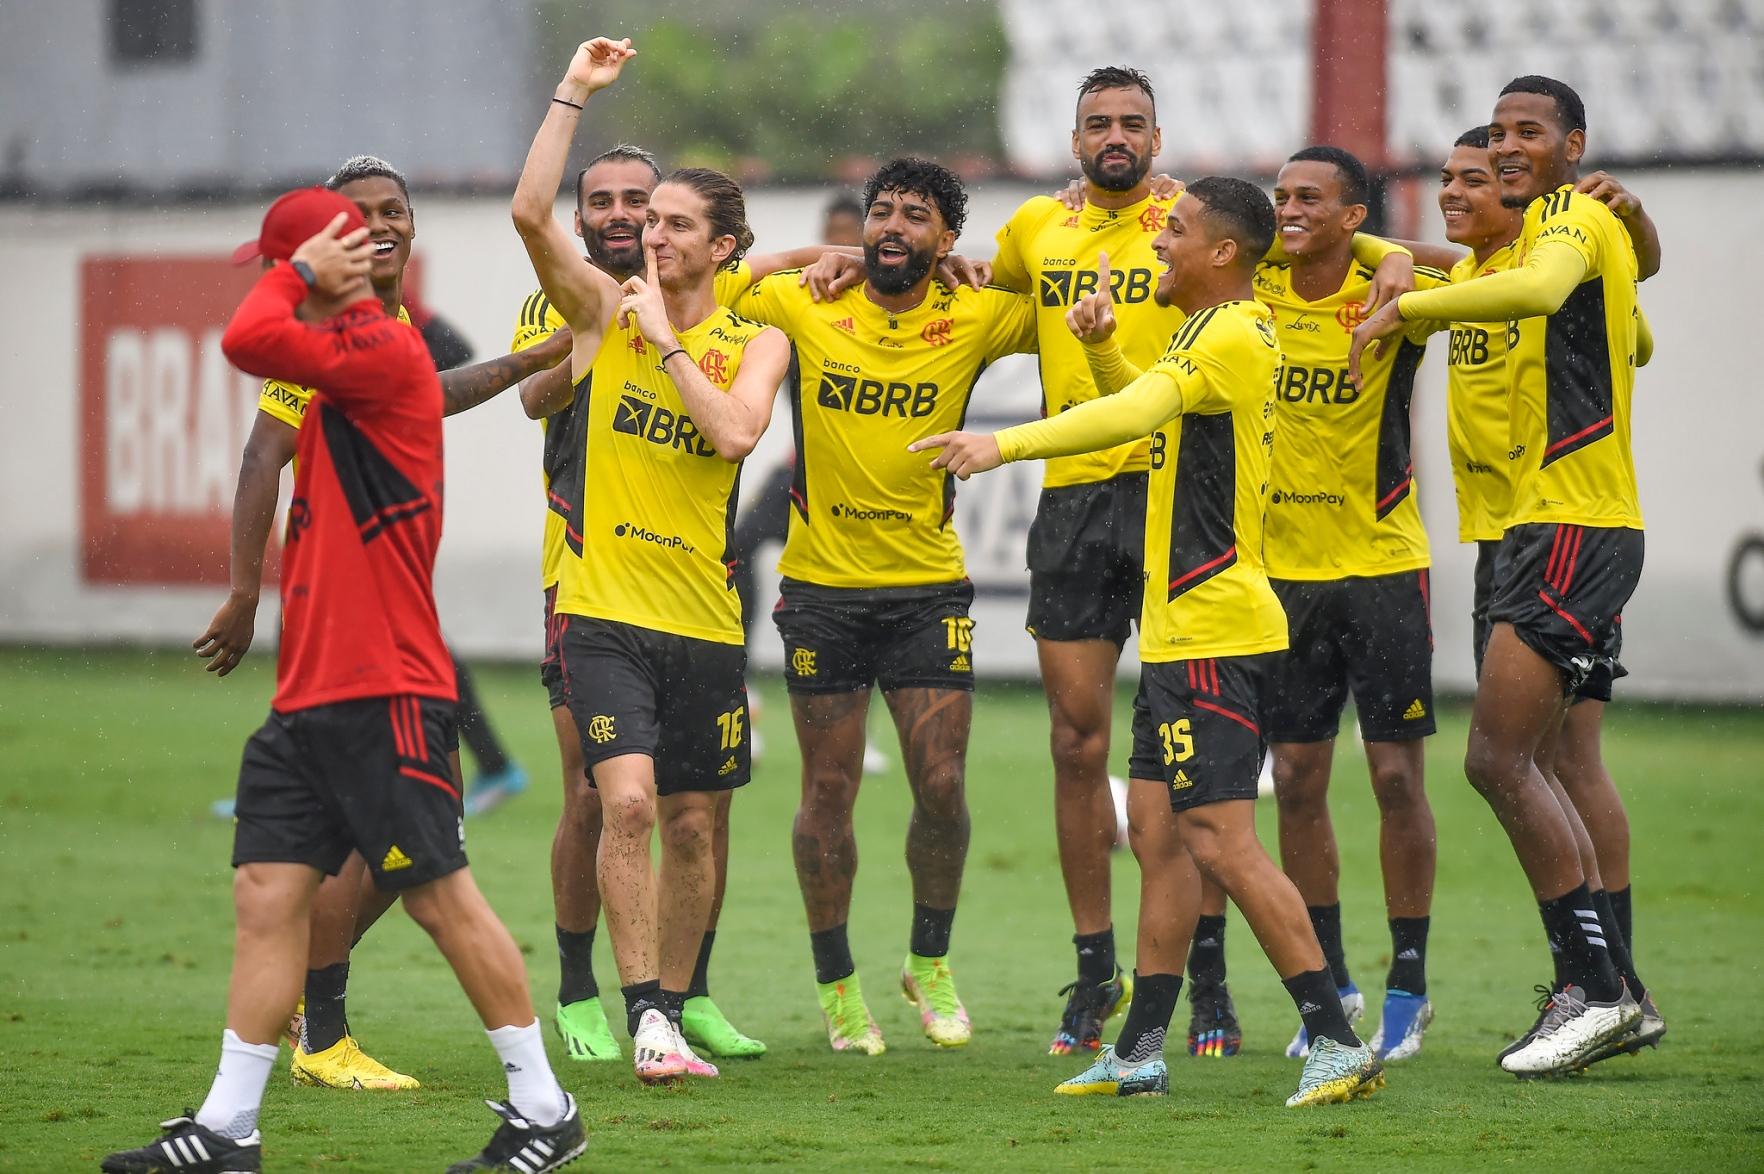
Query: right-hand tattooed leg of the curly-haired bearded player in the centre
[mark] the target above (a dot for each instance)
(934, 739)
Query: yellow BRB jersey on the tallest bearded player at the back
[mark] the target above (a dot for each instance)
(1050, 253)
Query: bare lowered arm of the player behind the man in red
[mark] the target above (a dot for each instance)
(260, 473)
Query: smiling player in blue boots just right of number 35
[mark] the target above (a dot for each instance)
(1349, 560)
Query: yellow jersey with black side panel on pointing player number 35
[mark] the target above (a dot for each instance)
(1206, 510)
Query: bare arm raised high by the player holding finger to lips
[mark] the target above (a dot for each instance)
(581, 292)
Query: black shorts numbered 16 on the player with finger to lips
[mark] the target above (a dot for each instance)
(676, 699)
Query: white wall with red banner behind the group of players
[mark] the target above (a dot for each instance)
(1700, 436)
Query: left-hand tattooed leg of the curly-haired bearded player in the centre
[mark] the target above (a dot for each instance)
(832, 732)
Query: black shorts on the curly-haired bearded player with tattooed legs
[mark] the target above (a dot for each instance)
(846, 641)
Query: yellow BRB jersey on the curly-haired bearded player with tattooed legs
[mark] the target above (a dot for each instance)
(867, 512)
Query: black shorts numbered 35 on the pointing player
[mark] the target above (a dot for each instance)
(1197, 725)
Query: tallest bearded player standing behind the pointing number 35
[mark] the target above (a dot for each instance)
(1086, 542)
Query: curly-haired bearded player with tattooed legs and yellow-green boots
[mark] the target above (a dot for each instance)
(874, 584)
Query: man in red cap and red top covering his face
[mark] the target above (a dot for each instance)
(354, 754)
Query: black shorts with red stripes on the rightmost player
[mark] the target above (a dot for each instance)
(1564, 590)
